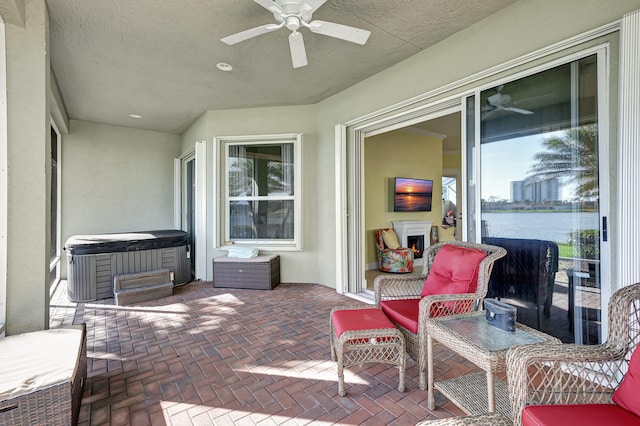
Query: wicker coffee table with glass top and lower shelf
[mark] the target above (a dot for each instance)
(471, 336)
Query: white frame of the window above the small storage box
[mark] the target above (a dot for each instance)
(294, 244)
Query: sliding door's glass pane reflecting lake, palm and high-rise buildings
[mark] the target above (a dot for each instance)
(540, 198)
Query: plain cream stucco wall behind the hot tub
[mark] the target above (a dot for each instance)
(116, 179)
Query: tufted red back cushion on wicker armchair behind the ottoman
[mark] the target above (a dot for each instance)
(454, 271)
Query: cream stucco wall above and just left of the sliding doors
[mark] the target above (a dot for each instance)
(477, 48)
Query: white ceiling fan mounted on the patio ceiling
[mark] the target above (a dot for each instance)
(294, 14)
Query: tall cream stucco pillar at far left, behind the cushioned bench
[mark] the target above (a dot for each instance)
(28, 162)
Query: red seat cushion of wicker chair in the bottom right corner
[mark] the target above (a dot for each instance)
(578, 414)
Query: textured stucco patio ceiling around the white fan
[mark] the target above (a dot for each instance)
(158, 58)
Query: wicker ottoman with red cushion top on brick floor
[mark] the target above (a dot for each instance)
(362, 334)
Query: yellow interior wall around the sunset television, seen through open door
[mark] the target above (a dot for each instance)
(397, 154)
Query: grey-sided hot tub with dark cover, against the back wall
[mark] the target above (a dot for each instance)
(94, 260)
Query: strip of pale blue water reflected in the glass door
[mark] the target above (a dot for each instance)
(551, 226)
